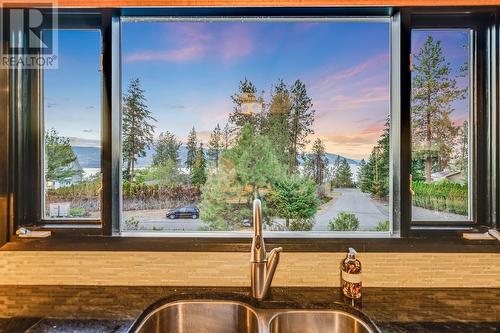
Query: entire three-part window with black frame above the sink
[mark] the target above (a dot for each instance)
(175, 123)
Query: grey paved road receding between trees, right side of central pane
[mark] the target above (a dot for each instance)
(351, 200)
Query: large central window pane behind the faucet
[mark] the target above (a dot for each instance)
(217, 112)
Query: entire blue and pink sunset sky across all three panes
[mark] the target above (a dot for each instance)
(189, 70)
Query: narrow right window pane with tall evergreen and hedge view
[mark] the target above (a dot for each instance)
(441, 114)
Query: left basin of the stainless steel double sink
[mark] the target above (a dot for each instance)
(200, 316)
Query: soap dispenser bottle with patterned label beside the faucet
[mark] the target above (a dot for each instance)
(350, 275)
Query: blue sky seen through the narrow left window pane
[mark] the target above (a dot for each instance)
(72, 92)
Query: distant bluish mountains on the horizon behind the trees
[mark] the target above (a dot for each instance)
(90, 157)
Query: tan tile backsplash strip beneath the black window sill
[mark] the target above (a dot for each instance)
(415, 270)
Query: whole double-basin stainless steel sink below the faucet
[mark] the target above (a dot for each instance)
(223, 316)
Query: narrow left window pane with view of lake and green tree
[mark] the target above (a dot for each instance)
(72, 128)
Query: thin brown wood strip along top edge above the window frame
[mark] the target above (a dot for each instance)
(263, 3)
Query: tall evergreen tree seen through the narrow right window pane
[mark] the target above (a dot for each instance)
(434, 89)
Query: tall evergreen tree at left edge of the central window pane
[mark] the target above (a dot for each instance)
(137, 127)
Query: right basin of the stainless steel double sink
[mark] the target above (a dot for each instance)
(317, 322)
